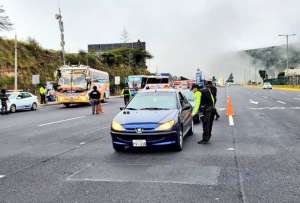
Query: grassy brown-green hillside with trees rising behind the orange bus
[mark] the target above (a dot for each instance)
(33, 59)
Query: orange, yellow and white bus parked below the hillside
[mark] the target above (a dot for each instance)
(76, 82)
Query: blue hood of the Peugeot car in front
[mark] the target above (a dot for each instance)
(136, 117)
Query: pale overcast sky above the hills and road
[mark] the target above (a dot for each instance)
(181, 35)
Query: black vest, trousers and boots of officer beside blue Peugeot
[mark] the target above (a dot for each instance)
(207, 103)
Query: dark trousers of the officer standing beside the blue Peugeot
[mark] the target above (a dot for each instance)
(207, 122)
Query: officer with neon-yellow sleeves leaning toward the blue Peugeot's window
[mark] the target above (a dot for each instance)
(205, 100)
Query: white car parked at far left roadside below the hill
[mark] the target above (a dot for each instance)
(21, 101)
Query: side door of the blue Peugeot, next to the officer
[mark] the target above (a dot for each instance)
(185, 113)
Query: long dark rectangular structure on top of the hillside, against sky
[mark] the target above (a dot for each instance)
(107, 47)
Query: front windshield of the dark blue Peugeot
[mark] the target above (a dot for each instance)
(154, 101)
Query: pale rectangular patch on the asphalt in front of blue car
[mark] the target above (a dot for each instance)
(163, 174)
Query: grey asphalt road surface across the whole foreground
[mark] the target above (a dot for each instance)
(61, 154)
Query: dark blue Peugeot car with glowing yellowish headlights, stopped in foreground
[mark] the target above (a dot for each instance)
(153, 119)
